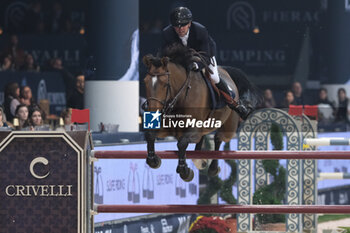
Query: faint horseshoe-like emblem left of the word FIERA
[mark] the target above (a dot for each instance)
(242, 15)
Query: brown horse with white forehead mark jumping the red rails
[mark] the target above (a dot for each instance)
(173, 89)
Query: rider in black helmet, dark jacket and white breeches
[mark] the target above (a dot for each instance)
(194, 35)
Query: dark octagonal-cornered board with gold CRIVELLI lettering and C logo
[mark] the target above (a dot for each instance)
(42, 183)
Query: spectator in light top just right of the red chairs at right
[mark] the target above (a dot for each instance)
(326, 108)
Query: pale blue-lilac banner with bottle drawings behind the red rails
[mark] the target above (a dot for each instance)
(133, 182)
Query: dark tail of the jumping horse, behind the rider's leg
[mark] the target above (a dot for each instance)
(248, 92)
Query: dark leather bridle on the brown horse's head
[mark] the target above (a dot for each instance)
(168, 103)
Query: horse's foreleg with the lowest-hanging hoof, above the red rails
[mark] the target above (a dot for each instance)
(185, 172)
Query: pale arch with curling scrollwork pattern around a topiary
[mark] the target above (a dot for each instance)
(259, 124)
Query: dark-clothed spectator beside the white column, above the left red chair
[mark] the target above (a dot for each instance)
(76, 100)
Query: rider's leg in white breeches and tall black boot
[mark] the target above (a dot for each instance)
(242, 110)
